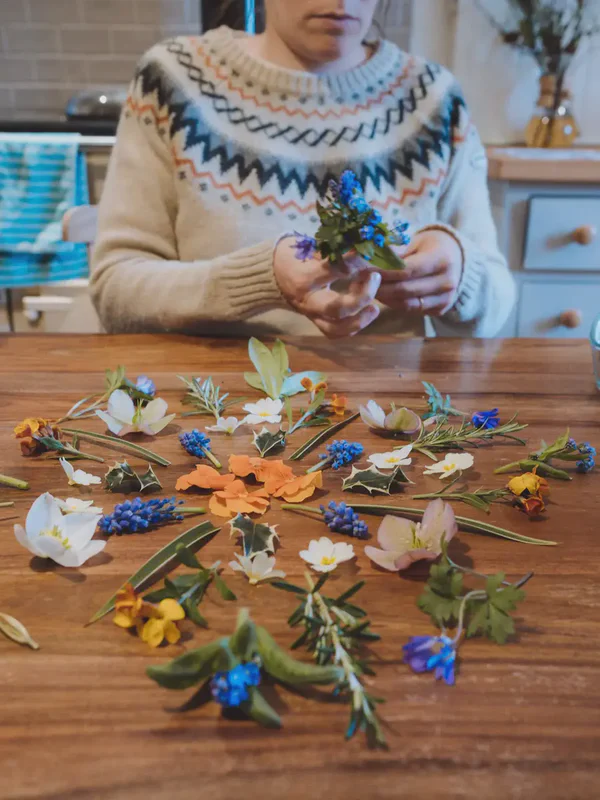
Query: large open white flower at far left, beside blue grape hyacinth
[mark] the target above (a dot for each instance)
(66, 539)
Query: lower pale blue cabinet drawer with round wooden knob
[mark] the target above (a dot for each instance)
(550, 309)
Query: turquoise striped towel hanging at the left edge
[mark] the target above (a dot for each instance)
(41, 177)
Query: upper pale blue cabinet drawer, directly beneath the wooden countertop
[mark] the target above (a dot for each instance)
(563, 233)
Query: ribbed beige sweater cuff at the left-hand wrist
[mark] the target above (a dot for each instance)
(249, 280)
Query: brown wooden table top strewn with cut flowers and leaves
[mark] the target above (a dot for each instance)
(79, 718)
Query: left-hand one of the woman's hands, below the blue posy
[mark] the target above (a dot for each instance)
(306, 286)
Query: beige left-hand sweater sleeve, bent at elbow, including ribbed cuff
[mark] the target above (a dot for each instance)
(138, 282)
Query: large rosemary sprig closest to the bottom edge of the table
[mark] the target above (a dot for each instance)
(335, 632)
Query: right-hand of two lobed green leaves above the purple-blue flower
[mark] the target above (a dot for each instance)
(491, 617)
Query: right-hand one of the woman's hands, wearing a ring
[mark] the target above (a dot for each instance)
(429, 284)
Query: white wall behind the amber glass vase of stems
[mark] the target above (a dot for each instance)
(501, 84)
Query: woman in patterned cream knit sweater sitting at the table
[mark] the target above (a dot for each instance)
(227, 142)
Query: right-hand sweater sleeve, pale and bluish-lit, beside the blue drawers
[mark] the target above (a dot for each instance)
(487, 291)
